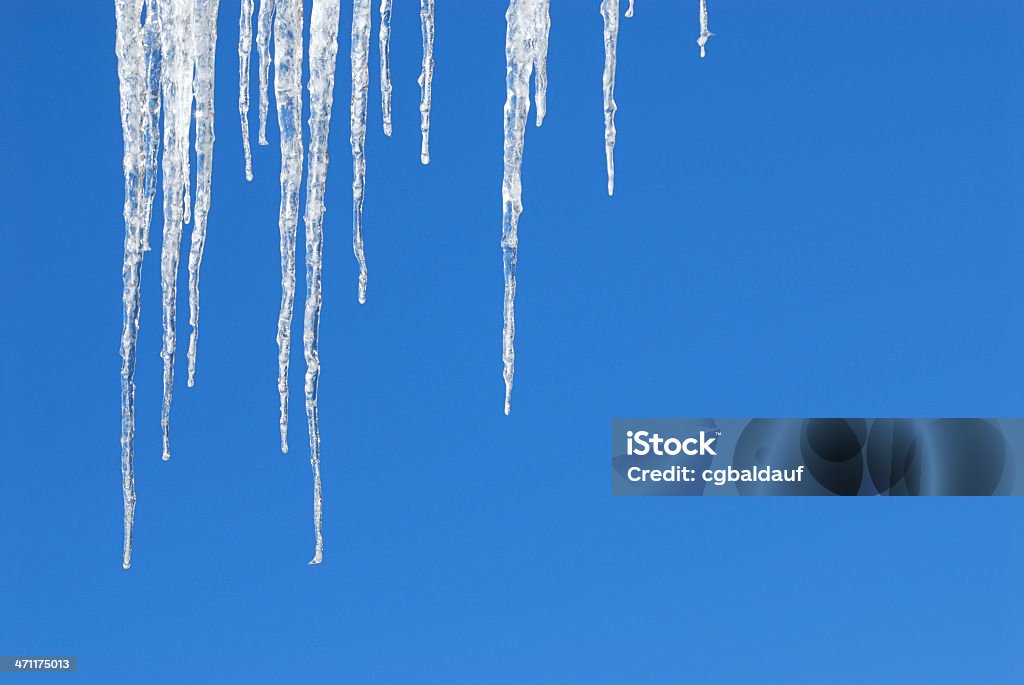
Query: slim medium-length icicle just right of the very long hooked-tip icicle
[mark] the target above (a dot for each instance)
(361, 85)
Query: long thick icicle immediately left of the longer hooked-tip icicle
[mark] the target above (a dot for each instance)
(288, 93)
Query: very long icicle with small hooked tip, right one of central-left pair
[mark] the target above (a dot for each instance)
(323, 60)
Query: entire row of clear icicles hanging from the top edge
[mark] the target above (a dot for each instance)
(166, 52)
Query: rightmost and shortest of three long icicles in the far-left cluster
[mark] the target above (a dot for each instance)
(206, 54)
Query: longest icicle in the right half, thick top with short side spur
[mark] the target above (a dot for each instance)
(526, 36)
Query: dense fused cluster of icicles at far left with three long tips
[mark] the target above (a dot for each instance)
(165, 52)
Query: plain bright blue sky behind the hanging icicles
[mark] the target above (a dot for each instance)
(824, 218)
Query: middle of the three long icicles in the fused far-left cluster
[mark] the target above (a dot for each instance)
(177, 79)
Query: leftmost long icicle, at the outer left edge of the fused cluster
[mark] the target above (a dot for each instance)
(133, 77)
